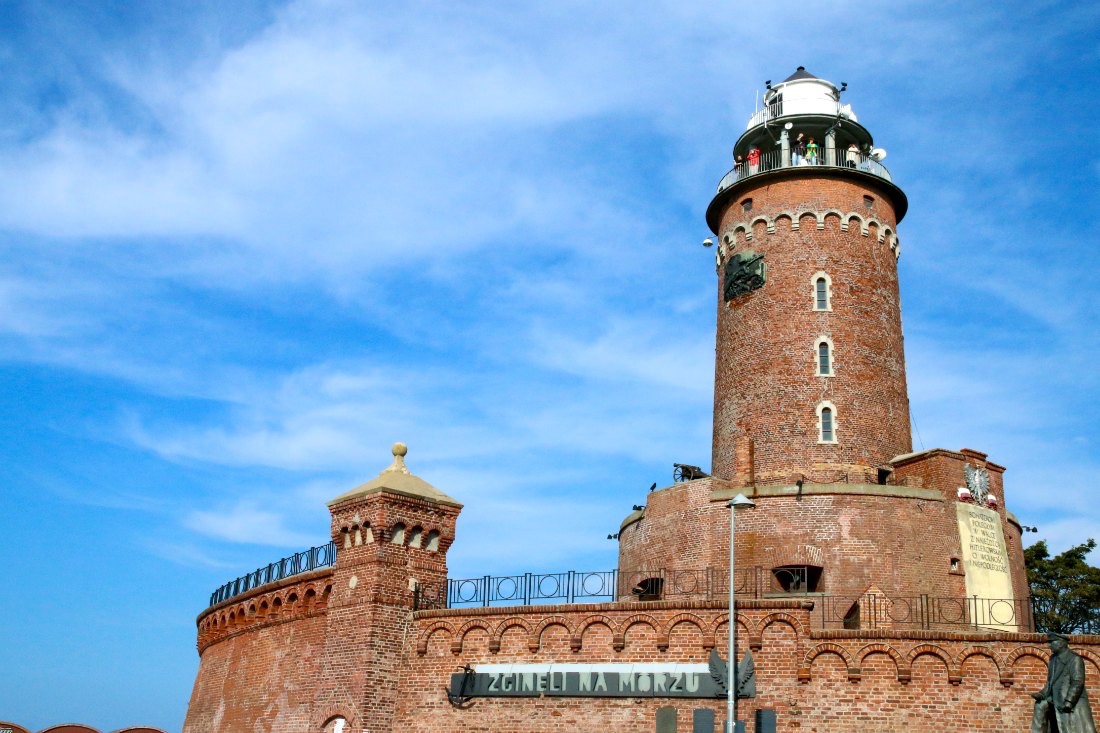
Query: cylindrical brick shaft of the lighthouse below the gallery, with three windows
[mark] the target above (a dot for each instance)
(766, 391)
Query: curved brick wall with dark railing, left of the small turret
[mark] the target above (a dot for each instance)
(261, 658)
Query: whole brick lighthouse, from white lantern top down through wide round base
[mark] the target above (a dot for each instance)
(811, 410)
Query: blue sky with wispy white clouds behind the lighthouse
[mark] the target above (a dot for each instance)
(248, 246)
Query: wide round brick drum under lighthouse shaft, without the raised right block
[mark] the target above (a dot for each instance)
(896, 545)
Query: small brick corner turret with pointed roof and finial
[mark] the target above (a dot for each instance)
(393, 534)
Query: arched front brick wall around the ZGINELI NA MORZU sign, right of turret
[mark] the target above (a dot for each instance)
(818, 682)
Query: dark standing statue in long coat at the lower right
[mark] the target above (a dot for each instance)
(1062, 706)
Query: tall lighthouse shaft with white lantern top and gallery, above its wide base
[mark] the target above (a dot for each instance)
(810, 375)
